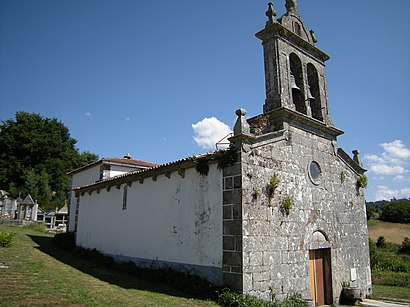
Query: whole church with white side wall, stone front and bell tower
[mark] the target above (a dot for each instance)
(281, 211)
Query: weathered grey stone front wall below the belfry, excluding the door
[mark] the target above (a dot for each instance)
(276, 244)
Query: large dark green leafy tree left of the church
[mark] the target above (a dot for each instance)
(35, 155)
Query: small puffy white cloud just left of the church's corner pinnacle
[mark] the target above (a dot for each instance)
(209, 131)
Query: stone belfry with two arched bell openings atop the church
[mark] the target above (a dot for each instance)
(294, 72)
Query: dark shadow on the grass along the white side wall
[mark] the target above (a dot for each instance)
(109, 274)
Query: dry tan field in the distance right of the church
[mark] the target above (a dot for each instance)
(392, 232)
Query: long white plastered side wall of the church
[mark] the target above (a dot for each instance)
(171, 219)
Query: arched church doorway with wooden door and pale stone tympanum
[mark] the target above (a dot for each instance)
(320, 270)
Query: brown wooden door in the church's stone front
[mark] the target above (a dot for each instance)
(320, 276)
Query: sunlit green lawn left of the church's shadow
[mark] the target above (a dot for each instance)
(33, 271)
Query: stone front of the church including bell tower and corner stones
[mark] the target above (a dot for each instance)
(296, 220)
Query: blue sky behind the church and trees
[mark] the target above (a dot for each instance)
(134, 76)
